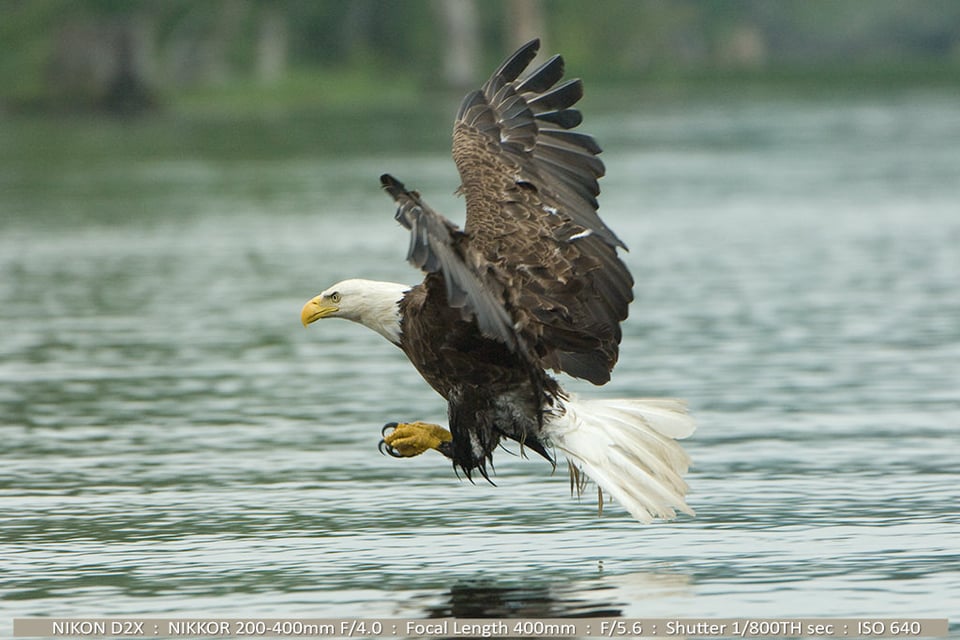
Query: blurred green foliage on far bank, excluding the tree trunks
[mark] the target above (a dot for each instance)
(365, 49)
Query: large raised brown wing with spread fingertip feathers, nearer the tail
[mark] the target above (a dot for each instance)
(530, 184)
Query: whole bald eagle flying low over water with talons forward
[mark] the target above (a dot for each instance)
(532, 283)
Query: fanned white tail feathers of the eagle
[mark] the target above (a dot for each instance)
(628, 447)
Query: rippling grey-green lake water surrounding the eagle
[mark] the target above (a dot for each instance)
(174, 443)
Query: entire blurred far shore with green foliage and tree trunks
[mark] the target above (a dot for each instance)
(129, 55)
